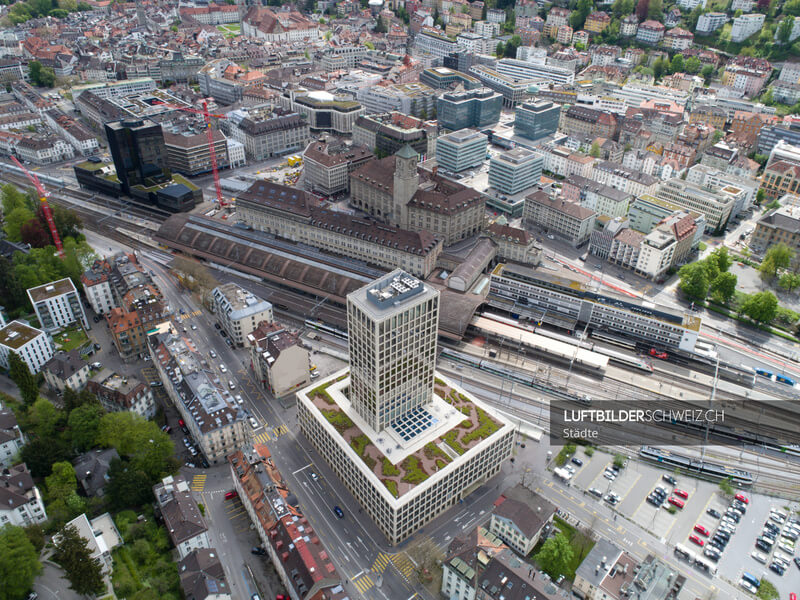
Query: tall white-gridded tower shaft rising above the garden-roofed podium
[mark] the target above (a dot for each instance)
(392, 327)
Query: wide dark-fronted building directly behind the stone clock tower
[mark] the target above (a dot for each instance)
(389, 132)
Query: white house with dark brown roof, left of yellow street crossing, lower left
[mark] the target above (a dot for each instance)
(185, 524)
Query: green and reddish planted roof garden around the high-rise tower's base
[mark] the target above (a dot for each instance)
(415, 468)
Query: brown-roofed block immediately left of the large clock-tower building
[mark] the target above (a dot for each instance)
(328, 164)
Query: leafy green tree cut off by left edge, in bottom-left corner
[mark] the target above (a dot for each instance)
(19, 563)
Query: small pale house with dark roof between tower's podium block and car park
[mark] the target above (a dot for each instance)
(518, 518)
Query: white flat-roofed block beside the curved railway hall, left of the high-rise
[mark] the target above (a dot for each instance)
(238, 311)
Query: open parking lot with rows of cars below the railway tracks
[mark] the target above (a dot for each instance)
(626, 491)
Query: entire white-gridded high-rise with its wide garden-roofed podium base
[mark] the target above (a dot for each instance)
(388, 407)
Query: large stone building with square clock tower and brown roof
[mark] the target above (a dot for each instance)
(394, 190)
